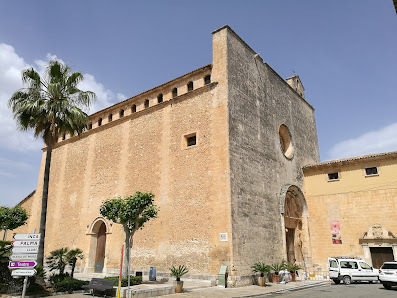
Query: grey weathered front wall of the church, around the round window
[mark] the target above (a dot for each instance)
(259, 101)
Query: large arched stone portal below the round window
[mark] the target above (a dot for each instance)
(294, 223)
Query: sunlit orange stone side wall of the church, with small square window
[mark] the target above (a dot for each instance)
(146, 151)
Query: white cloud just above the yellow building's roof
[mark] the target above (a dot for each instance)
(382, 140)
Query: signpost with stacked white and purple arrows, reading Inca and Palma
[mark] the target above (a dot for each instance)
(24, 256)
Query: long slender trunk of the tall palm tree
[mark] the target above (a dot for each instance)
(44, 199)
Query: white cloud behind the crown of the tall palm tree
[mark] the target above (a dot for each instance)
(11, 66)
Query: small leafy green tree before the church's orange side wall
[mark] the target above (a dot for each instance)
(132, 213)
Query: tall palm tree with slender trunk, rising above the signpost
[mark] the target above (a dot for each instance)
(51, 106)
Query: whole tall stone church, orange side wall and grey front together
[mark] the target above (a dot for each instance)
(221, 200)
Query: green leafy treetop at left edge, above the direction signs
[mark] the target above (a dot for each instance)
(12, 218)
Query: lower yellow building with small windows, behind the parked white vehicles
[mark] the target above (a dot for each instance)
(352, 207)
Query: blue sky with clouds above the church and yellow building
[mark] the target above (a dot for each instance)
(344, 52)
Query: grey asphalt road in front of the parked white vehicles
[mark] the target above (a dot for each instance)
(335, 291)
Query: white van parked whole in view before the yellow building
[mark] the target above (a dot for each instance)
(350, 270)
